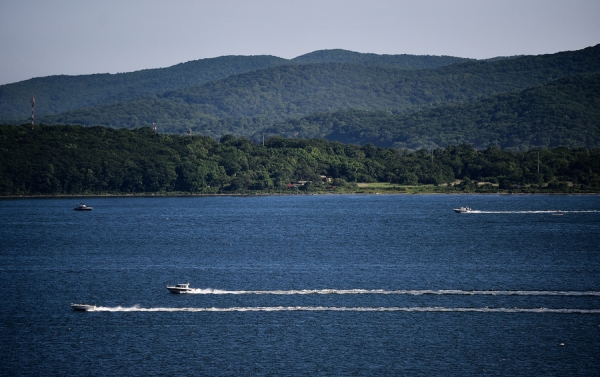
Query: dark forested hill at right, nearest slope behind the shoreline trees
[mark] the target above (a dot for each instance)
(565, 112)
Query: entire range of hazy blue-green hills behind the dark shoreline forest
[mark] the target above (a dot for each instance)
(414, 102)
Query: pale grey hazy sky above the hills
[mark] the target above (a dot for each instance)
(50, 37)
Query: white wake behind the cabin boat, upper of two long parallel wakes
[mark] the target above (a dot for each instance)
(210, 291)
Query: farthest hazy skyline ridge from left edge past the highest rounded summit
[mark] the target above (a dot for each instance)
(57, 94)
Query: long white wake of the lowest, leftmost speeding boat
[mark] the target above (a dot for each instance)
(347, 309)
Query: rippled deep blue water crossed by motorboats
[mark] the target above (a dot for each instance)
(302, 285)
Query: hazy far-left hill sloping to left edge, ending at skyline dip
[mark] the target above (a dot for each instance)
(56, 94)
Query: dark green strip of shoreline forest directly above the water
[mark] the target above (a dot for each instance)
(75, 160)
